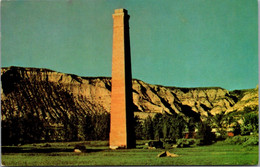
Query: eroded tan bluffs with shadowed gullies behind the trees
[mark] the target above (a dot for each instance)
(53, 95)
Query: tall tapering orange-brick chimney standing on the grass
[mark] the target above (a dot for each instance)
(121, 98)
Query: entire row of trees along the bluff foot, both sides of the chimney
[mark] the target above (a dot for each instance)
(29, 128)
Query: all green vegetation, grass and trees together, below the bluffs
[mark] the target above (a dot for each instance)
(27, 141)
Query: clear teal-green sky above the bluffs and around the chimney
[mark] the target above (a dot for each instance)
(184, 43)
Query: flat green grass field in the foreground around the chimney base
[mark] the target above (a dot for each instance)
(98, 153)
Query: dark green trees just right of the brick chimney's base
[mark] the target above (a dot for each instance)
(171, 127)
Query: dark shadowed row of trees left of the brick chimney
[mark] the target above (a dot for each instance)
(29, 128)
